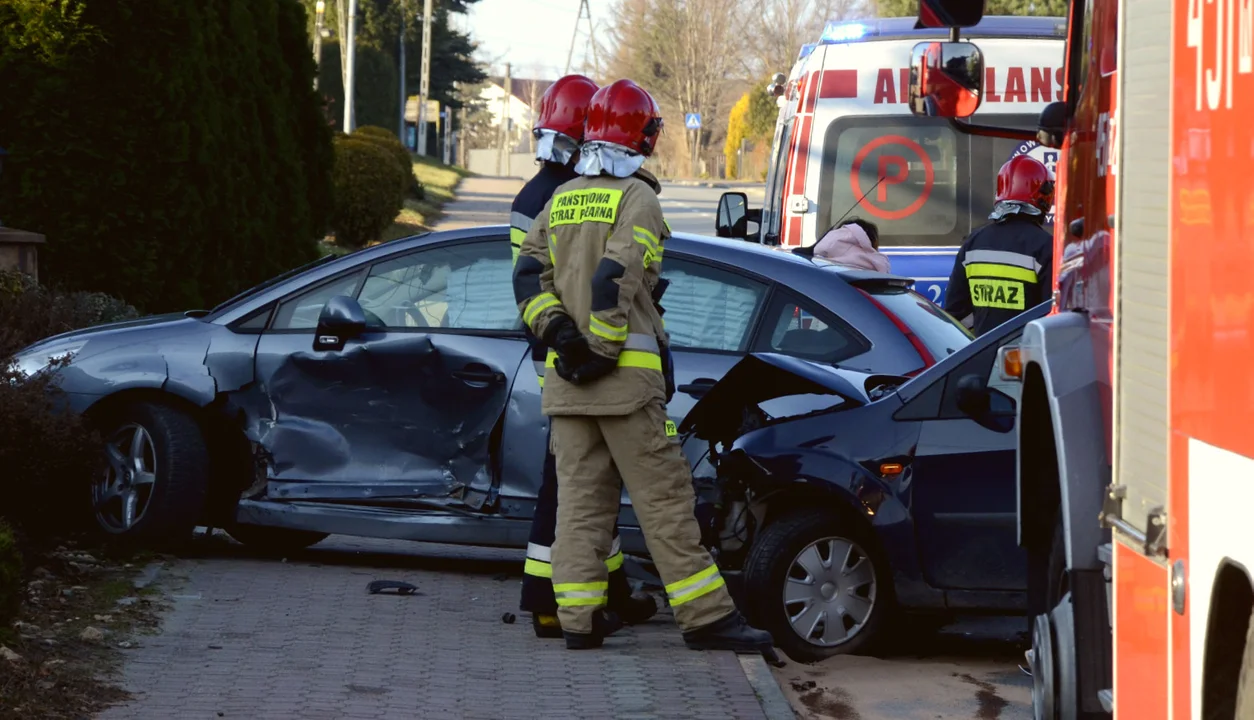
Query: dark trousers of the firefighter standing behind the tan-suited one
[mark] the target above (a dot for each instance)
(539, 571)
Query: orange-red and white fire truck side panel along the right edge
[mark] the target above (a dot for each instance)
(1212, 338)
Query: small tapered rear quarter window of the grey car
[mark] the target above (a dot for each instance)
(796, 328)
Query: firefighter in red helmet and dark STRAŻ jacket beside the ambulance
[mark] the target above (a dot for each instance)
(1006, 267)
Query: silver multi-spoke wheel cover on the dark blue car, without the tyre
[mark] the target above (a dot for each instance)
(830, 591)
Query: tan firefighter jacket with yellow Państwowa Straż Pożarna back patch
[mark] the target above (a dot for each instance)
(595, 254)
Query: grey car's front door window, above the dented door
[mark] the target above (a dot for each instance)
(463, 287)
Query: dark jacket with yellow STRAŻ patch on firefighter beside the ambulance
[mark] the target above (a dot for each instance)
(1003, 269)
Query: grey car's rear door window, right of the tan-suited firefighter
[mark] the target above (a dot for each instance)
(709, 309)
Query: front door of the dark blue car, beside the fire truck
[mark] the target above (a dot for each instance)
(964, 484)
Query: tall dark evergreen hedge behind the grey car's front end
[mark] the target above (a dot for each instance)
(177, 159)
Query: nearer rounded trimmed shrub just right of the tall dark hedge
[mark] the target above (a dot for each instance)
(367, 199)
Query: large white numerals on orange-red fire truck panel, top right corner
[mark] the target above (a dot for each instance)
(1233, 52)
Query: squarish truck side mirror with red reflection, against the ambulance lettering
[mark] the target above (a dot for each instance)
(947, 80)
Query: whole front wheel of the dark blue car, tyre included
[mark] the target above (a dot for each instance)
(818, 584)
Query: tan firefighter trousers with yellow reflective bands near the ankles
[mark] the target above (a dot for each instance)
(644, 448)
